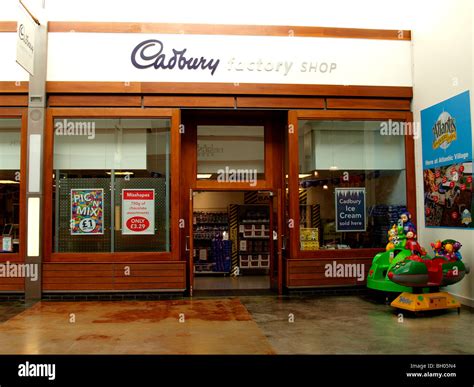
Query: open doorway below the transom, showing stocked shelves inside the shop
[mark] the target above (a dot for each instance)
(235, 243)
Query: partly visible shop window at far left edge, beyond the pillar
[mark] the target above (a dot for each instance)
(10, 150)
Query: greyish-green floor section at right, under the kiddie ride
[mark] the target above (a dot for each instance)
(356, 325)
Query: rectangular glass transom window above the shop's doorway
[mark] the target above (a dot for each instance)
(230, 153)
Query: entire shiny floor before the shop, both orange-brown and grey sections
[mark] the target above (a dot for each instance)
(240, 325)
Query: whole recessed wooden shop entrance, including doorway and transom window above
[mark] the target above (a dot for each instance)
(232, 199)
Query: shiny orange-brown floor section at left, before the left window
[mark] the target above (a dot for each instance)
(154, 327)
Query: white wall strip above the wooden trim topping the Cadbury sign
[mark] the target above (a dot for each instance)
(334, 13)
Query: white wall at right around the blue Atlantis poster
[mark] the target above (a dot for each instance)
(443, 67)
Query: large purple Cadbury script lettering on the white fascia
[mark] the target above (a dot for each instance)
(149, 53)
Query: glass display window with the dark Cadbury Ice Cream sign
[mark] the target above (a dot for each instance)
(352, 184)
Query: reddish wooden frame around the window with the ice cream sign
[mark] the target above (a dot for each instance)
(293, 182)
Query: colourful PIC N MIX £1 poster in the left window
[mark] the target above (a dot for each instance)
(87, 211)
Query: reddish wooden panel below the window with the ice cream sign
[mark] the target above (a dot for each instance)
(311, 273)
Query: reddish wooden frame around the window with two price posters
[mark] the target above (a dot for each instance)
(175, 161)
